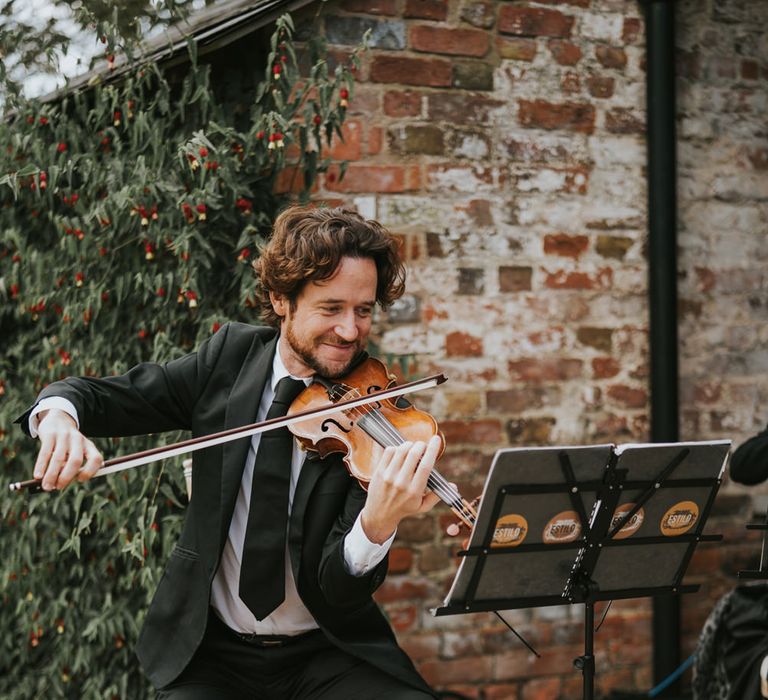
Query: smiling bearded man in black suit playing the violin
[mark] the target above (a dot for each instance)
(247, 610)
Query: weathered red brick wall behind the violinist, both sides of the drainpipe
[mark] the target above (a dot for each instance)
(504, 142)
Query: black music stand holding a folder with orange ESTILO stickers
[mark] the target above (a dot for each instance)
(535, 545)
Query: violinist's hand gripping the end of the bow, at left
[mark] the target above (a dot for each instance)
(65, 453)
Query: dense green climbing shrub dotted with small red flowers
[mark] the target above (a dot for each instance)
(129, 217)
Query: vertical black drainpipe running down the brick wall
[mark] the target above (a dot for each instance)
(662, 283)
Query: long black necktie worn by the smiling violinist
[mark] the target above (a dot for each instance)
(262, 571)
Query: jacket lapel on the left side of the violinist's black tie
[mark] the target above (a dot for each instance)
(242, 407)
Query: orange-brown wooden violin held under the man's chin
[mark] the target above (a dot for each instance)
(361, 433)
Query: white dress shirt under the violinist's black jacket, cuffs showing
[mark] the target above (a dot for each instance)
(291, 616)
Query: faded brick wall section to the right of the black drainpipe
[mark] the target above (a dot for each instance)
(723, 184)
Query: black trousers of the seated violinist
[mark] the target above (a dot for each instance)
(226, 667)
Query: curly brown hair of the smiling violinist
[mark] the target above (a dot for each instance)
(307, 244)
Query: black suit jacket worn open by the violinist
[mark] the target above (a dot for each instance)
(216, 388)
